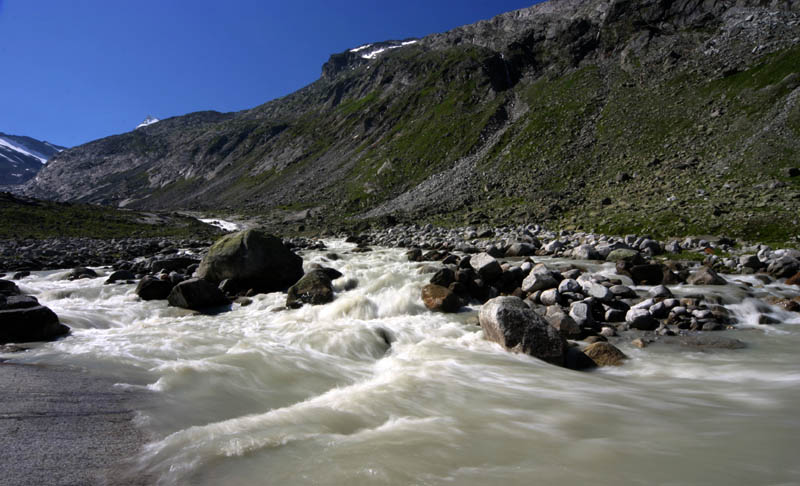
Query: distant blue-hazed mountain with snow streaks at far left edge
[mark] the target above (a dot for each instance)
(21, 158)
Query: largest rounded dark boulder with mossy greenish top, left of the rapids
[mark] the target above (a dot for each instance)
(251, 260)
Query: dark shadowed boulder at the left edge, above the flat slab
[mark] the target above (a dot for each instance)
(23, 320)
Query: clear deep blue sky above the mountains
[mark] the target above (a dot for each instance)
(78, 70)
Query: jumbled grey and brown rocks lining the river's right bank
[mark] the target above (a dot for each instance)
(479, 265)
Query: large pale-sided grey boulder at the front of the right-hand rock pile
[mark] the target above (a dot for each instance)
(511, 323)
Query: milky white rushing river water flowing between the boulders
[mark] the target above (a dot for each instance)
(317, 396)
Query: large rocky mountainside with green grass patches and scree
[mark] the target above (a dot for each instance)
(659, 116)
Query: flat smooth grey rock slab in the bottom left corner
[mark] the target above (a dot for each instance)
(63, 426)
